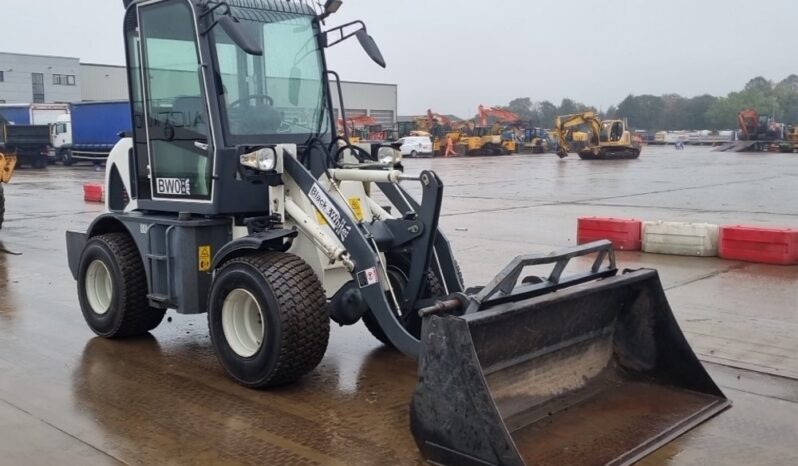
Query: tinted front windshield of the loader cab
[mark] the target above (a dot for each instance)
(280, 93)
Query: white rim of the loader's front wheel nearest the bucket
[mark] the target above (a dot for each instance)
(243, 323)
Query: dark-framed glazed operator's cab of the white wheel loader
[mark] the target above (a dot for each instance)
(211, 81)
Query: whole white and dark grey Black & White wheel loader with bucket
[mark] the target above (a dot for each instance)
(234, 196)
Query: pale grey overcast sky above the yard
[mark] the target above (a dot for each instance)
(452, 55)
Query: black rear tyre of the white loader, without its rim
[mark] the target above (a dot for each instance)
(130, 314)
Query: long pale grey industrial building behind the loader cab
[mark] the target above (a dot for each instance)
(49, 79)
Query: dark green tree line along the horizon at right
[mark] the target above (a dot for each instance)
(674, 112)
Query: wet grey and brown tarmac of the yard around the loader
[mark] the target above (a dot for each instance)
(67, 397)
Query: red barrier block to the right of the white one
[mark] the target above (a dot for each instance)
(757, 244)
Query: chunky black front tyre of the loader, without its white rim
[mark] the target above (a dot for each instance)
(294, 307)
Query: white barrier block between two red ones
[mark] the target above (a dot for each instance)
(682, 239)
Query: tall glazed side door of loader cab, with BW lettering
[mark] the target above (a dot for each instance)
(178, 136)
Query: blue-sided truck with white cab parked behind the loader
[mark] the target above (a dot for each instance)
(95, 128)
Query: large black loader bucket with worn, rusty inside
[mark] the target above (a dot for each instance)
(597, 372)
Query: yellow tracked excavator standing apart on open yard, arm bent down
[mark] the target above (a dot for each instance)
(608, 140)
